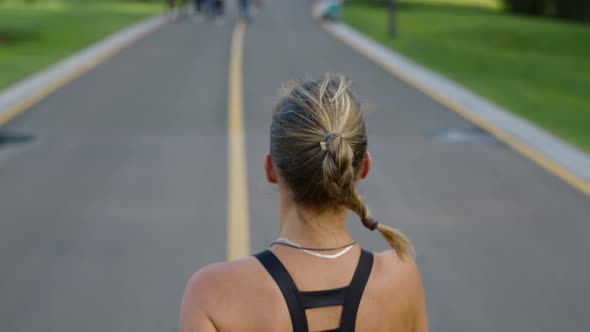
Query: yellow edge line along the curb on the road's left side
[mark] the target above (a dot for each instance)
(30, 101)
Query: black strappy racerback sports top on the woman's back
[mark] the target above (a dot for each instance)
(348, 297)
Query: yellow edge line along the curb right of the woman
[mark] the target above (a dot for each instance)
(546, 163)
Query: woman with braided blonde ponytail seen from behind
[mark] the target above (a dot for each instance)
(314, 277)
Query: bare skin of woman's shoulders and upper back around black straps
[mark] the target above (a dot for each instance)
(242, 296)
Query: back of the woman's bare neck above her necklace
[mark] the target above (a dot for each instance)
(314, 229)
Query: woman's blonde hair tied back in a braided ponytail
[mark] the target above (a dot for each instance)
(318, 143)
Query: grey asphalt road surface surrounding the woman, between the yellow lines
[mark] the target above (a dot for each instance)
(123, 191)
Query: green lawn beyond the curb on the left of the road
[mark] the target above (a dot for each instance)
(33, 36)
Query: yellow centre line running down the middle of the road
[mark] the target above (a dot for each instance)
(238, 229)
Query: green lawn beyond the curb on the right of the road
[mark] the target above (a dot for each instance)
(537, 68)
